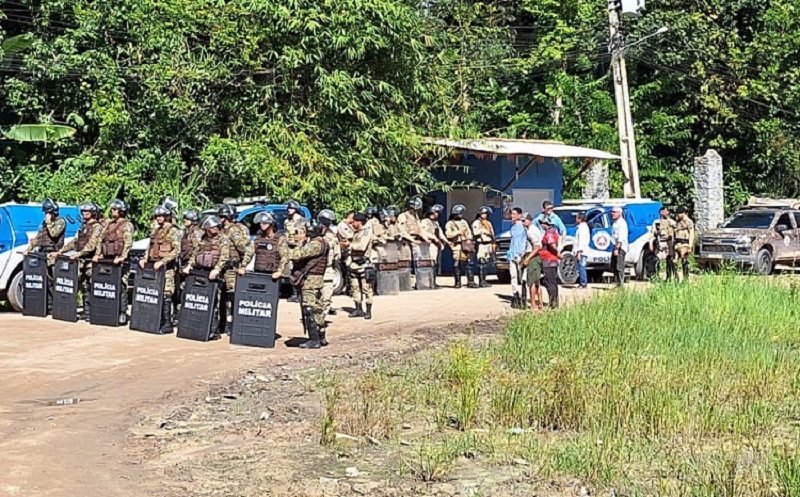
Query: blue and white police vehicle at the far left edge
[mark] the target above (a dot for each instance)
(19, 224)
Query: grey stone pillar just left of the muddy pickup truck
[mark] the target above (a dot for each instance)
(709, 198)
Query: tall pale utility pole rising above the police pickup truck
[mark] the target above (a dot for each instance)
(627, 141)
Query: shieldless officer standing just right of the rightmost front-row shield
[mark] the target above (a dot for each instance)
(309, 260)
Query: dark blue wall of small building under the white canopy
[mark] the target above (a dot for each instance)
(497, 173)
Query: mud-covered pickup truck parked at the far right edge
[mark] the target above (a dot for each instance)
(760, 236)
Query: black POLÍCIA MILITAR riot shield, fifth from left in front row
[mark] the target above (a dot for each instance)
(198, 307)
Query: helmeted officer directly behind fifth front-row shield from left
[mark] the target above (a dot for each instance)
(211, 254)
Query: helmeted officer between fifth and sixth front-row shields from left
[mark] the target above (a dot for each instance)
(241, 253)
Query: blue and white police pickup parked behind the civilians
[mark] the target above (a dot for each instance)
(640, 215)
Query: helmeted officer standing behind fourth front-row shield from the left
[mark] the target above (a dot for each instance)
(163, 252)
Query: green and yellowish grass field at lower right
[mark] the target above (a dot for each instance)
(680, 390)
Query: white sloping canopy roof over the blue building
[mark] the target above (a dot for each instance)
(531, 148)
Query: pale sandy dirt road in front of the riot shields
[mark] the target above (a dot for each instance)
(67, 450)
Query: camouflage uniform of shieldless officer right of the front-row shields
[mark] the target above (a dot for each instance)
(305, 257)
